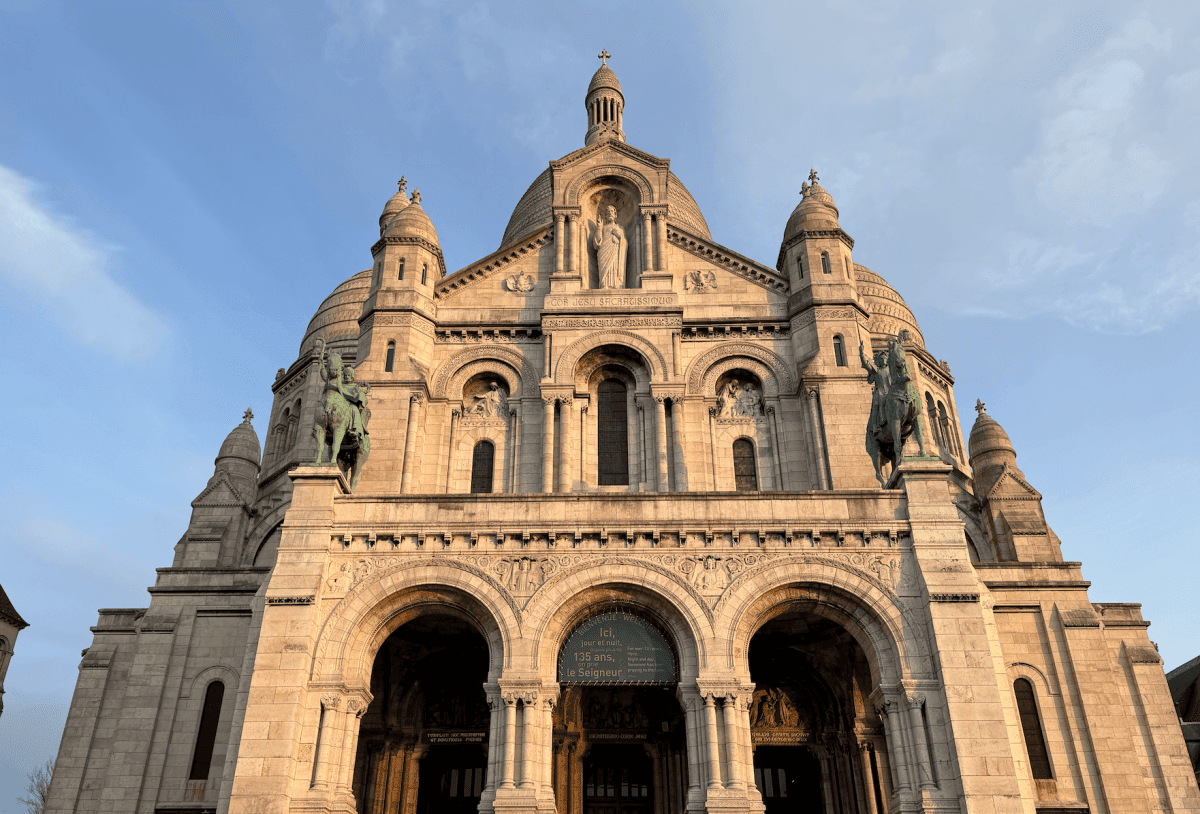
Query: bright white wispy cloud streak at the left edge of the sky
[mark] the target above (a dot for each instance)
(51, 259)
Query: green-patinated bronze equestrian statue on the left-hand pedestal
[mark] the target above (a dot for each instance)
(343, 424)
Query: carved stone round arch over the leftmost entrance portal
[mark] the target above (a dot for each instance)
(376, 607)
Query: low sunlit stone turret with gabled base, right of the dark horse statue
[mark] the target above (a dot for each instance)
(1011, 508)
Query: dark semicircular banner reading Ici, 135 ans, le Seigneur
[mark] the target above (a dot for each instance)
(617, 649)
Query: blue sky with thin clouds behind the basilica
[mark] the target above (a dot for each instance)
(182, 185)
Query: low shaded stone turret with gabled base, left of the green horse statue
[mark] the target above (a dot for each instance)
(221, 513)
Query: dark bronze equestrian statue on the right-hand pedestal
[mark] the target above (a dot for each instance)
(896, 406)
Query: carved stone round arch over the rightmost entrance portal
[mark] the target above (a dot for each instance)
(868, 610)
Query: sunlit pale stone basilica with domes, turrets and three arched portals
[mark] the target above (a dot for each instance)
(617, 547)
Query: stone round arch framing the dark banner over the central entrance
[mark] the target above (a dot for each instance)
(560, 604)
